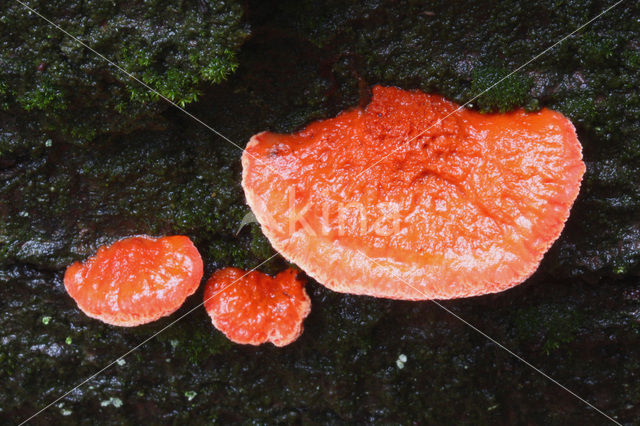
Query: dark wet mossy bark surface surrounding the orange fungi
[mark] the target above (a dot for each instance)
(577, 319)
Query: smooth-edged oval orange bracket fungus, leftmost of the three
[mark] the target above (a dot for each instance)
(135, 280)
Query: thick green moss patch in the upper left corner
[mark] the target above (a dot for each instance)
(174, 48)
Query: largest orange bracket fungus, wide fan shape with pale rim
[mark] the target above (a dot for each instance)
(413, 198)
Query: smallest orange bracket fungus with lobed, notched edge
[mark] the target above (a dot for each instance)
(254, 308)
